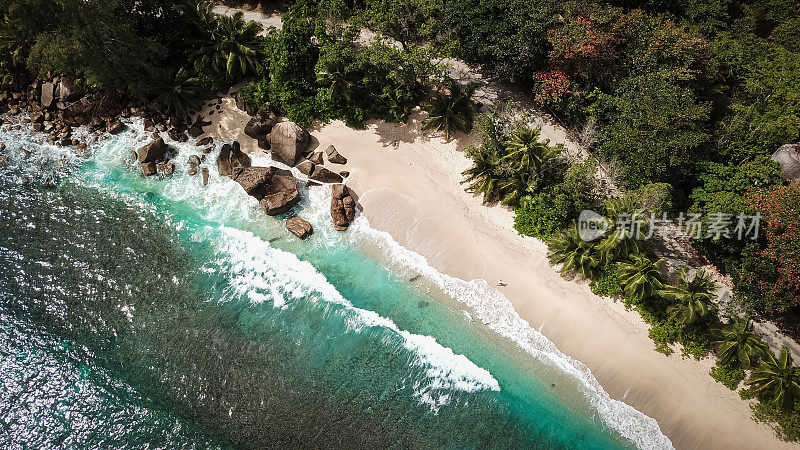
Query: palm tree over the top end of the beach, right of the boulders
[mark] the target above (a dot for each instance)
(452, 112)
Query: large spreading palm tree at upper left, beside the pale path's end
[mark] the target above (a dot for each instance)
(233, 48)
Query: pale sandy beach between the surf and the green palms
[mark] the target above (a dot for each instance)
(408, 183)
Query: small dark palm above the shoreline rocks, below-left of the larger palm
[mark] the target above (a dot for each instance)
(176, 92)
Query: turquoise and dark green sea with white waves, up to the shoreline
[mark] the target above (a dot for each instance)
(160, 312)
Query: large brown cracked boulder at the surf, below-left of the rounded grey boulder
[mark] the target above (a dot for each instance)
(276, 189)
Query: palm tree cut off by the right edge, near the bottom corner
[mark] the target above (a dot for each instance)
(776, 378)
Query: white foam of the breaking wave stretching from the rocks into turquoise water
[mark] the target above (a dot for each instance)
(261, 273)
